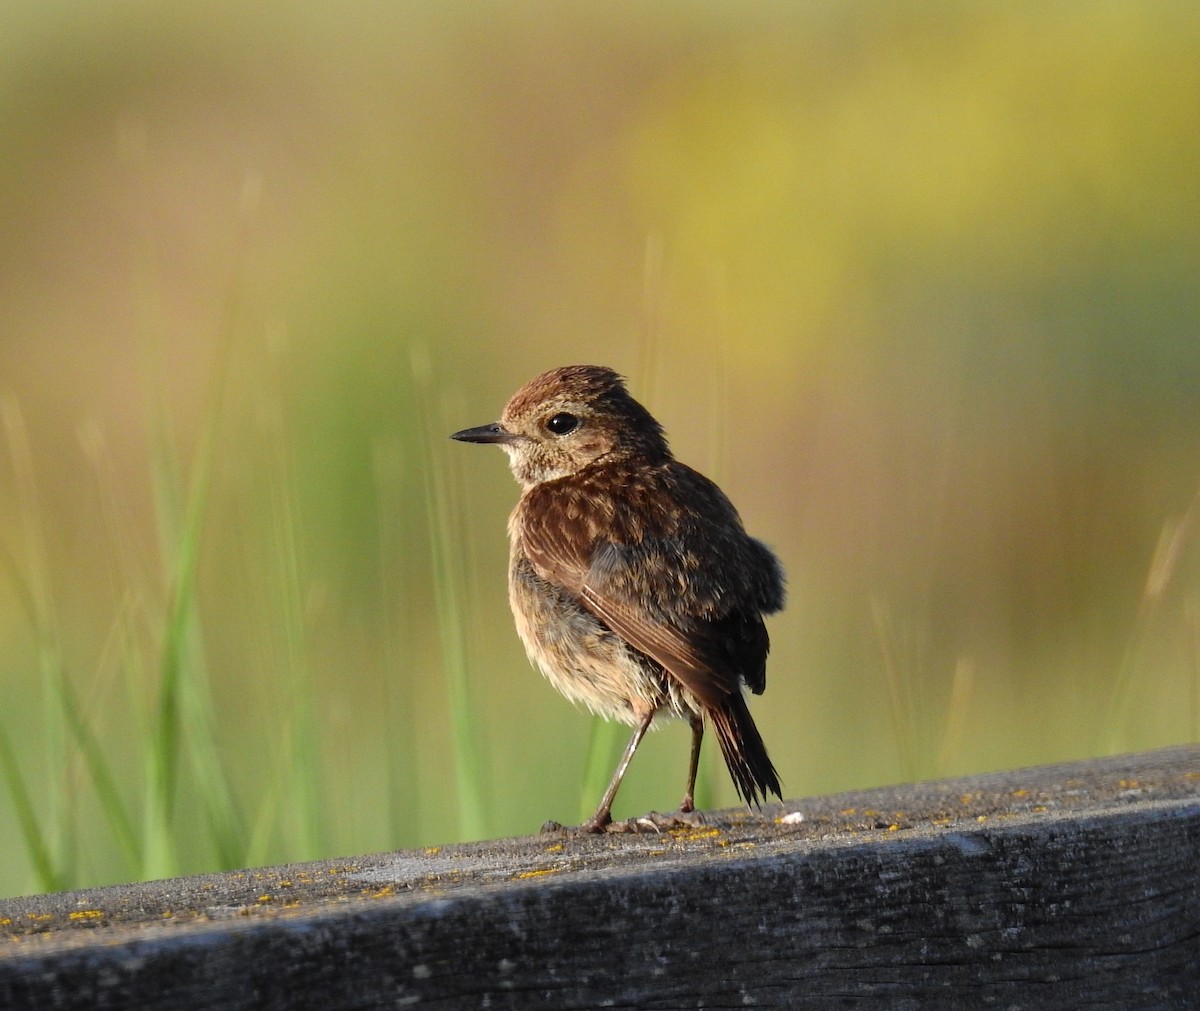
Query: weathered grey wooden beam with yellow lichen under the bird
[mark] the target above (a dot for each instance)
(1064, 887)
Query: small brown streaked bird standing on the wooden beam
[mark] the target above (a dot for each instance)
(634, 585)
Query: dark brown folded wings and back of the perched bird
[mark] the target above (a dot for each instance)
(661, 578)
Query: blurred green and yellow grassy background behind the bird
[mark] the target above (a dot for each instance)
(919, 284)
